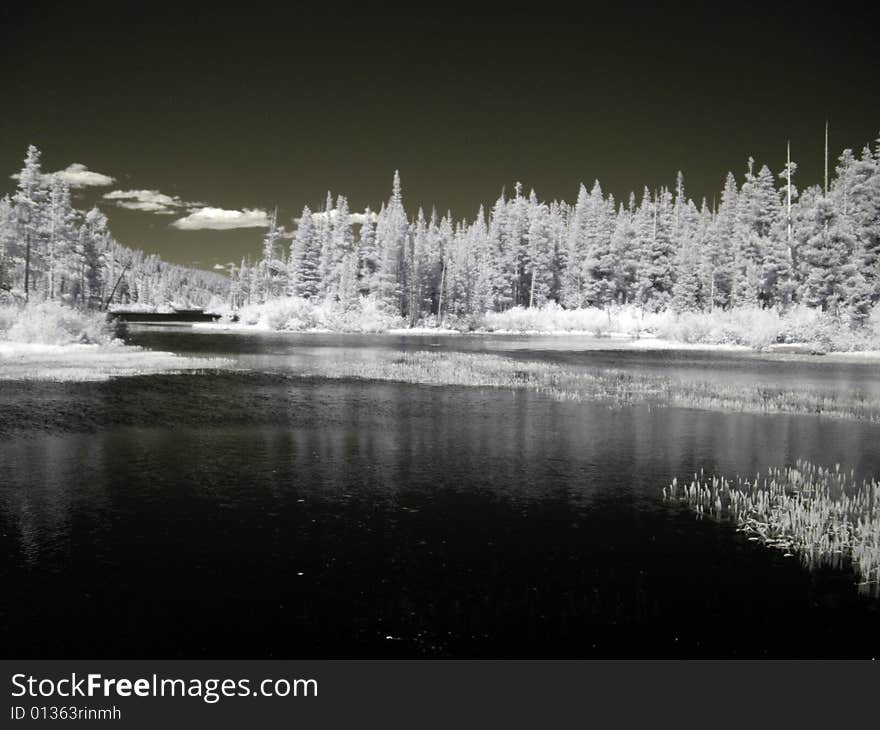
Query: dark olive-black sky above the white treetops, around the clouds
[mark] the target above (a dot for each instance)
(266, 107)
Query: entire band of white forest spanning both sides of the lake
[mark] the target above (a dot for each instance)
(764, 243)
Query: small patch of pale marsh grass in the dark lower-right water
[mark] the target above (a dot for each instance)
(821, 515)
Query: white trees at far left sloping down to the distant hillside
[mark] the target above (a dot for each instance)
(51, 251)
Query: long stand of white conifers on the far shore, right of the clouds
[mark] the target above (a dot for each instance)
(764, 243)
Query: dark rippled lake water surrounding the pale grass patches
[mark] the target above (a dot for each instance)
(261, 514)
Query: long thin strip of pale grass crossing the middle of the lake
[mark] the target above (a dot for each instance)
(609, 386)
